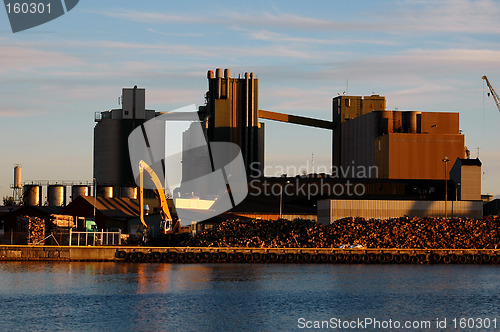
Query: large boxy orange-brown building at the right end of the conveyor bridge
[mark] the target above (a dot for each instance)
(401, 144)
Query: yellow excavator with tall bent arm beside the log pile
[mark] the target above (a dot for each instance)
(168, 225)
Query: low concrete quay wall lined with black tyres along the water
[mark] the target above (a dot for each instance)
(250, 255)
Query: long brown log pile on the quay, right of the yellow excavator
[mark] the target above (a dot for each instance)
(404, 233)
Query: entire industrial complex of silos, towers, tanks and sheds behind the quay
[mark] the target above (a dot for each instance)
(415, 162)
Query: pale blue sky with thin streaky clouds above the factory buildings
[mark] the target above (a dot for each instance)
(420, 55)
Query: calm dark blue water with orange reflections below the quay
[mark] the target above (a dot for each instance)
(237, 297)
